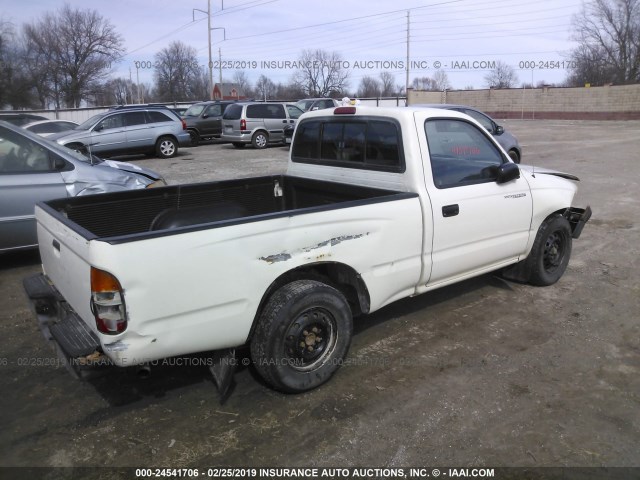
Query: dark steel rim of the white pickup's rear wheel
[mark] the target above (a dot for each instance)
(310, 339)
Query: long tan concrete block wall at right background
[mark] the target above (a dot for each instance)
(616, 102)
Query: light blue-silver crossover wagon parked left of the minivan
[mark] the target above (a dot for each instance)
(128, 130)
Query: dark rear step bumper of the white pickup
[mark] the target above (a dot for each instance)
(77, 345)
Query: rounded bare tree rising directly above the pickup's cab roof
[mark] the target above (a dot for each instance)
(321, 74)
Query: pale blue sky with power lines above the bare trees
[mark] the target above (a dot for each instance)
(464, 38)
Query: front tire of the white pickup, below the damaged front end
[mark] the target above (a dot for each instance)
(551, 251)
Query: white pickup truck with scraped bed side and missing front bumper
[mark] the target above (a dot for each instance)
(377, 204)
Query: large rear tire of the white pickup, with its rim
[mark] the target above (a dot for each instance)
(302, 336)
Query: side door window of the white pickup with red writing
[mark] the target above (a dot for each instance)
(460, 153)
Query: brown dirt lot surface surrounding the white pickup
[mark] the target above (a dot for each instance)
(483, 373)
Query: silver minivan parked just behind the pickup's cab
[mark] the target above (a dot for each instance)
(258, 123)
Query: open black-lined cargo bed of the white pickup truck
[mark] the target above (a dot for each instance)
(138, 214)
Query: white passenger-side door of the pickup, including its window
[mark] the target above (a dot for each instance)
(478, 223)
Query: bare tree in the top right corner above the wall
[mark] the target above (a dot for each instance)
(608, 32)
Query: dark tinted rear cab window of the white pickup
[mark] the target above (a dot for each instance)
(365, 143)
